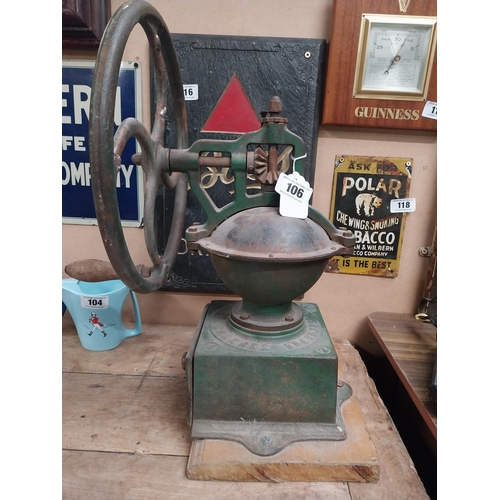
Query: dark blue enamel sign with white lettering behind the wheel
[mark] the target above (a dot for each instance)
(77, 203)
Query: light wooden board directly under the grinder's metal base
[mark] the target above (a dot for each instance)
(353, 459)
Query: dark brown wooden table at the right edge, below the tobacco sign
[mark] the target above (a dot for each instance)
(403, 374)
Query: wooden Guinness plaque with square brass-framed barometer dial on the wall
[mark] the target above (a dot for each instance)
(382, 65)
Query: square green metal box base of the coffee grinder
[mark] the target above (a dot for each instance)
(240, 376)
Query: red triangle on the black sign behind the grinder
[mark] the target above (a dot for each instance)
(233, 113)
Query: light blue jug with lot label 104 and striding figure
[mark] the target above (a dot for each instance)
(96, 309)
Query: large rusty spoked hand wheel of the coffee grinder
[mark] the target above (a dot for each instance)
(103, 152)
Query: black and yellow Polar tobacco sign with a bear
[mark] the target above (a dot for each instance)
(370, 198)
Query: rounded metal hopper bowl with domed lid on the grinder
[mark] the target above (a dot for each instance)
(268, 259)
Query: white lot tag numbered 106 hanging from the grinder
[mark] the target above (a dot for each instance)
(295, 193)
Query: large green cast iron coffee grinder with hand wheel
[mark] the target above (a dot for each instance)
(262, 370)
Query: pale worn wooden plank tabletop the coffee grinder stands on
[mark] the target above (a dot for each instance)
(125, 433)
